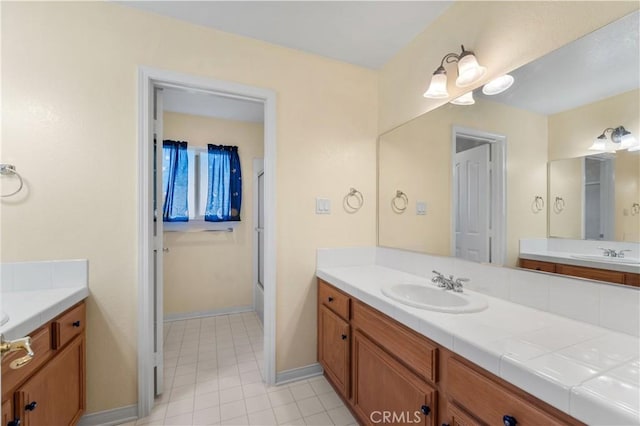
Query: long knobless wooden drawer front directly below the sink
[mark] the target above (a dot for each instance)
(411, 348)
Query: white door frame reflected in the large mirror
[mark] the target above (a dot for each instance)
(498, 190)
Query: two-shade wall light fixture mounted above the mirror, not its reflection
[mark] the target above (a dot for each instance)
(469, 72)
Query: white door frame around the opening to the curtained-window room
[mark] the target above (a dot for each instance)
(148, 78)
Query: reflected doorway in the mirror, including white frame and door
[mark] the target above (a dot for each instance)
(478, 196)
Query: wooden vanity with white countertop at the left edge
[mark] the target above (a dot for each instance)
(46, 302)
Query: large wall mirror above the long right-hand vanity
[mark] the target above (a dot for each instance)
(555, 109)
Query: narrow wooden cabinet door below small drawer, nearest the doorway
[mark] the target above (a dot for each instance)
(333, 348)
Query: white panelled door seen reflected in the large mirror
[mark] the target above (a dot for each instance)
(472, 200)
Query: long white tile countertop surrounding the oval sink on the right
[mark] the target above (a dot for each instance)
(585, 370)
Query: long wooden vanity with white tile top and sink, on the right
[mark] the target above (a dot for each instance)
(507, 364)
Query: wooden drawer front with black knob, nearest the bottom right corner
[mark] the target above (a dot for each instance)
(490, 401)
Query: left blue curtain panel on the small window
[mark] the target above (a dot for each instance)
(175, 181)
